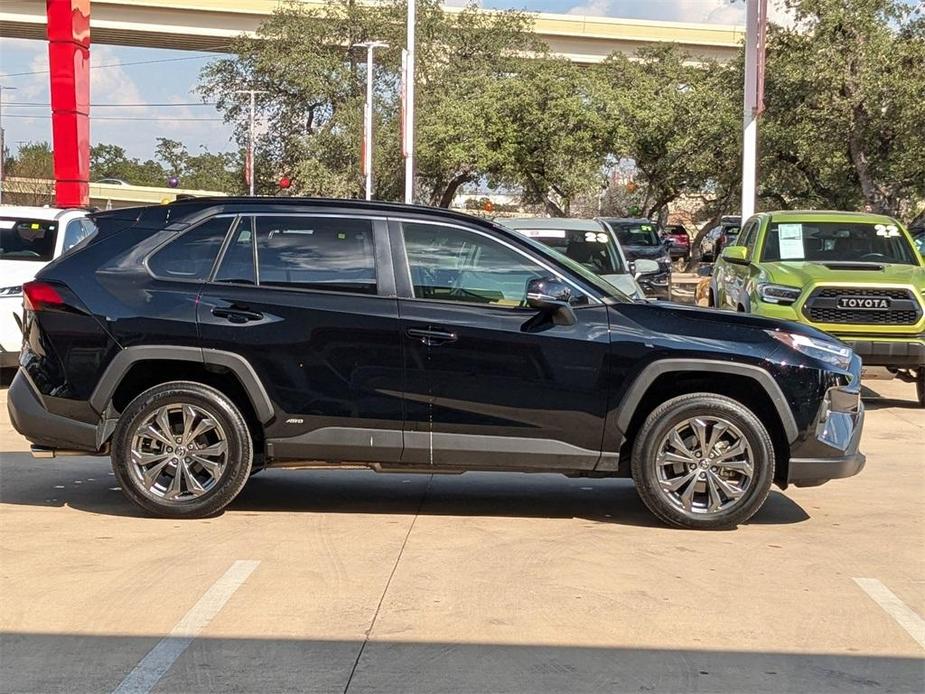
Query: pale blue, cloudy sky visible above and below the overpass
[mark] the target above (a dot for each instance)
(113, 81)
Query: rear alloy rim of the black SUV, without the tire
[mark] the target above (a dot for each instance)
(178, 453)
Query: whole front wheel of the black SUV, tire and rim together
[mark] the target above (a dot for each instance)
(703, 461)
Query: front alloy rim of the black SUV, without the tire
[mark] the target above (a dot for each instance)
(704, 465)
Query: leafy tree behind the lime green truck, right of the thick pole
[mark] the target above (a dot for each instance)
(843, 127)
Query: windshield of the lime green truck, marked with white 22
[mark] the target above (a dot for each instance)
(837, 241)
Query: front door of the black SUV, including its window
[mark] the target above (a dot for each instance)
(487, 384)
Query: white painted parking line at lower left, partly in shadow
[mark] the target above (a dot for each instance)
(157, 662)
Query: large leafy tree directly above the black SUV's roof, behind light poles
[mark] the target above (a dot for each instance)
(303, 57)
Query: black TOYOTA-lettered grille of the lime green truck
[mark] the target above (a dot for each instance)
(844, 305)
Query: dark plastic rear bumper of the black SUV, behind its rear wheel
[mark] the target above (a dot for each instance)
(30, 418)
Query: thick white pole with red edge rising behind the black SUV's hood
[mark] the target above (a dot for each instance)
(755, 31)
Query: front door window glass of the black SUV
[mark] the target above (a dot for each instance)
(454, 264)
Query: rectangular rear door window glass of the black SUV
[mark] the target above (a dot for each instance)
(328, 253)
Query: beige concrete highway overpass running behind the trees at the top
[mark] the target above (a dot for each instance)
(208, 25)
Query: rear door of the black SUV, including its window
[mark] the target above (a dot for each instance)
(329, 360)
